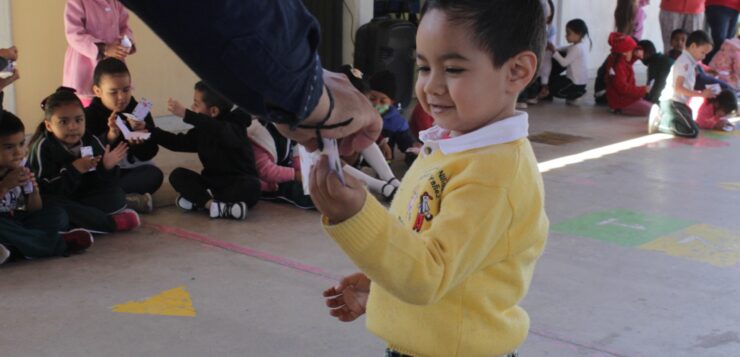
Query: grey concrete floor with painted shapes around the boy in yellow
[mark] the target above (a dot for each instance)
(643, 260)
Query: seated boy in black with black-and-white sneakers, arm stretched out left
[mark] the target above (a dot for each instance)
(229, 183)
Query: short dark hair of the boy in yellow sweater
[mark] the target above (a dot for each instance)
(503, 28)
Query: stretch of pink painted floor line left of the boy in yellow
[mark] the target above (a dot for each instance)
(264, 256)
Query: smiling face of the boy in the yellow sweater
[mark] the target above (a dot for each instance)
(458, 83)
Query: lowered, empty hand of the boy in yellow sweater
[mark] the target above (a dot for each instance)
(348, 300)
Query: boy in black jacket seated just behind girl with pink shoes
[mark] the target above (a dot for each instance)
(139, 178)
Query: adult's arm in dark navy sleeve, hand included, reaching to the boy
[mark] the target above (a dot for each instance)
(262, 55)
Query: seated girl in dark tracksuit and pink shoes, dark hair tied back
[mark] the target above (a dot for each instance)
(76, 171)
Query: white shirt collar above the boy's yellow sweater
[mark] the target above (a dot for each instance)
(499, 132)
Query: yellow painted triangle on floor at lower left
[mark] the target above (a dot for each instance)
(173, 302)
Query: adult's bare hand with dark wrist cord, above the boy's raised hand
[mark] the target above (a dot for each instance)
(348, 103)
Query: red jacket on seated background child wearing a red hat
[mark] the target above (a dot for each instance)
(621, 90)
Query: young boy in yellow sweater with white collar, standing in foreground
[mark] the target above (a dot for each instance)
(444, 271)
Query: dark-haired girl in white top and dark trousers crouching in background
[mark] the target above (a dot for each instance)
(572, 85)
